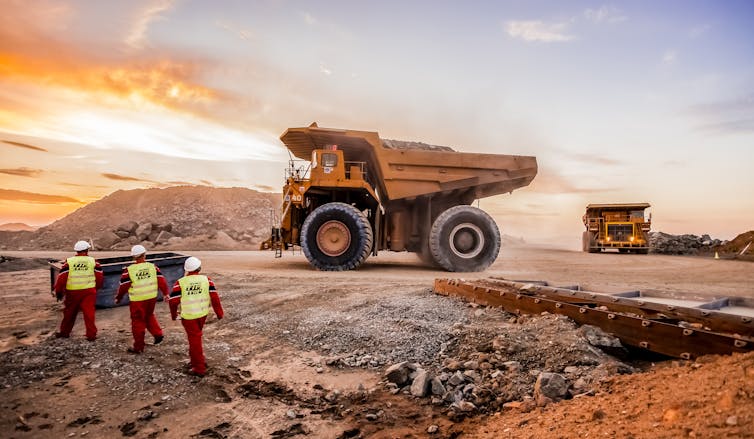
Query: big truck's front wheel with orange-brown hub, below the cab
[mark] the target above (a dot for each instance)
(349, 237)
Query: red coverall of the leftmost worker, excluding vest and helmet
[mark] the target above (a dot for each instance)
(78, 300)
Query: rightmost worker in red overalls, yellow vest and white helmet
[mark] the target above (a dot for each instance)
(194, 293)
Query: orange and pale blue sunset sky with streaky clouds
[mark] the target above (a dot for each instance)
(621, 102)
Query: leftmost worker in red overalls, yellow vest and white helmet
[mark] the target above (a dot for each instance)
(77, 284)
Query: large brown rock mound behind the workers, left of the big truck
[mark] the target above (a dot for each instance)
(172, 218)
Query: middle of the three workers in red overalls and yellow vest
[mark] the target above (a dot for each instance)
(141, 280)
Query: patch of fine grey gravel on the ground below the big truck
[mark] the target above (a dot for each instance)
(415, 326)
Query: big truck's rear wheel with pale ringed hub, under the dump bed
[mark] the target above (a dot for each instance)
(464, 238)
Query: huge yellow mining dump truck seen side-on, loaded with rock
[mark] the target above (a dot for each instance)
(351, 194)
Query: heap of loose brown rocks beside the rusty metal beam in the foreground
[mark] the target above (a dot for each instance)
(520, 367)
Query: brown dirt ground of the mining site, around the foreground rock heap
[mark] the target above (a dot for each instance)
(302, 353)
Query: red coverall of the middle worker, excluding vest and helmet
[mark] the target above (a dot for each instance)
(142, 312)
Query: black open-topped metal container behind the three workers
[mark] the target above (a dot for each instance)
(170, 264)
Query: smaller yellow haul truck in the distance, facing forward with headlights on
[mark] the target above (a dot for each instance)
(616, 226)
